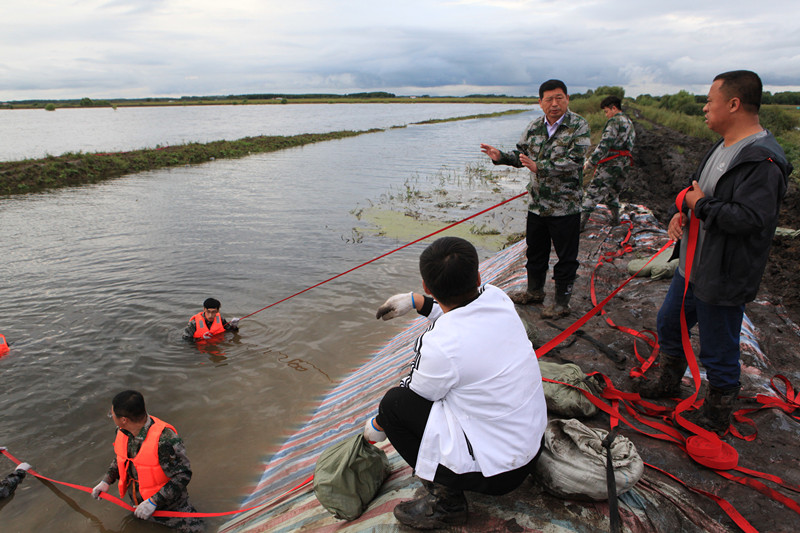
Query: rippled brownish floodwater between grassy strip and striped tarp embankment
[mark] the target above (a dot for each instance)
(97, 283)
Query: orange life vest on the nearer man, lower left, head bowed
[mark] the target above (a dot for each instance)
(148, 470)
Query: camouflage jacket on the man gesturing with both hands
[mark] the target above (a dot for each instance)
(556, 189)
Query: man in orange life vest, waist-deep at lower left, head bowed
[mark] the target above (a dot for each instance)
(150, 463)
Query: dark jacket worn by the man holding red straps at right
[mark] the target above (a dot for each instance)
(740, 221)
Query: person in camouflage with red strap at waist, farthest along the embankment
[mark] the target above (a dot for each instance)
(612, 158)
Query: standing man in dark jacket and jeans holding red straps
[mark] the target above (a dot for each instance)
(736, 195)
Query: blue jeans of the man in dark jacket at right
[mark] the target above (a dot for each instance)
(719, 327)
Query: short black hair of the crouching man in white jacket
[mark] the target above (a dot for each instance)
(449, 268)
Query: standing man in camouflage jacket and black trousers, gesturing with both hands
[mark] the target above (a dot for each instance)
(553, 147)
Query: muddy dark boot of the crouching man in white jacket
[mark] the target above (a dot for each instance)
(440, 507)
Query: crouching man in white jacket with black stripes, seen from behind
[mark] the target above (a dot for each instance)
(471, 414)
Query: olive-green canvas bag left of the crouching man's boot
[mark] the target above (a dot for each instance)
(347, 476)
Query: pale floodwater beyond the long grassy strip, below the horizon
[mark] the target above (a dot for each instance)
(33, 133)
